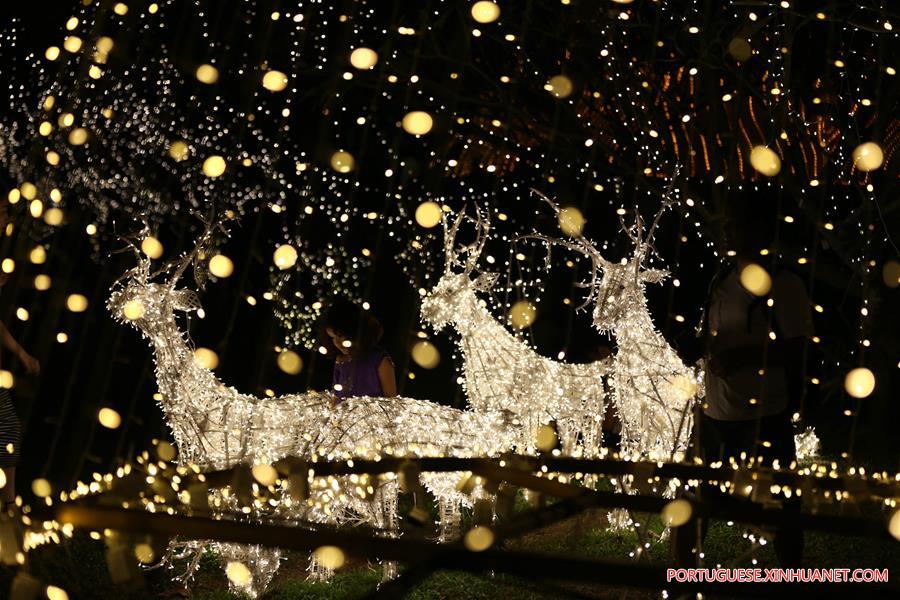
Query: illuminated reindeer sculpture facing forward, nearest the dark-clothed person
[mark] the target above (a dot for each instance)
(654, 391)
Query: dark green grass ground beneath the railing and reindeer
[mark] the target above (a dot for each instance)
(79, 566)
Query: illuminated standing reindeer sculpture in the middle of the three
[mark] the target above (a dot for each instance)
(501, 372)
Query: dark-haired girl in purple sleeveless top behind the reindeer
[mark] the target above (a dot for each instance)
(361, 368)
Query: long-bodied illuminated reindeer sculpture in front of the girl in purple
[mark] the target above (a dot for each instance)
(217, 427)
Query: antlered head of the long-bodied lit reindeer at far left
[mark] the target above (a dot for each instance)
(147, 299)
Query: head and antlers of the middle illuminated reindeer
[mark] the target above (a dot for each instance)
(449, 297)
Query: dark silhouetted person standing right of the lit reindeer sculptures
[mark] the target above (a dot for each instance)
(754, 333)
